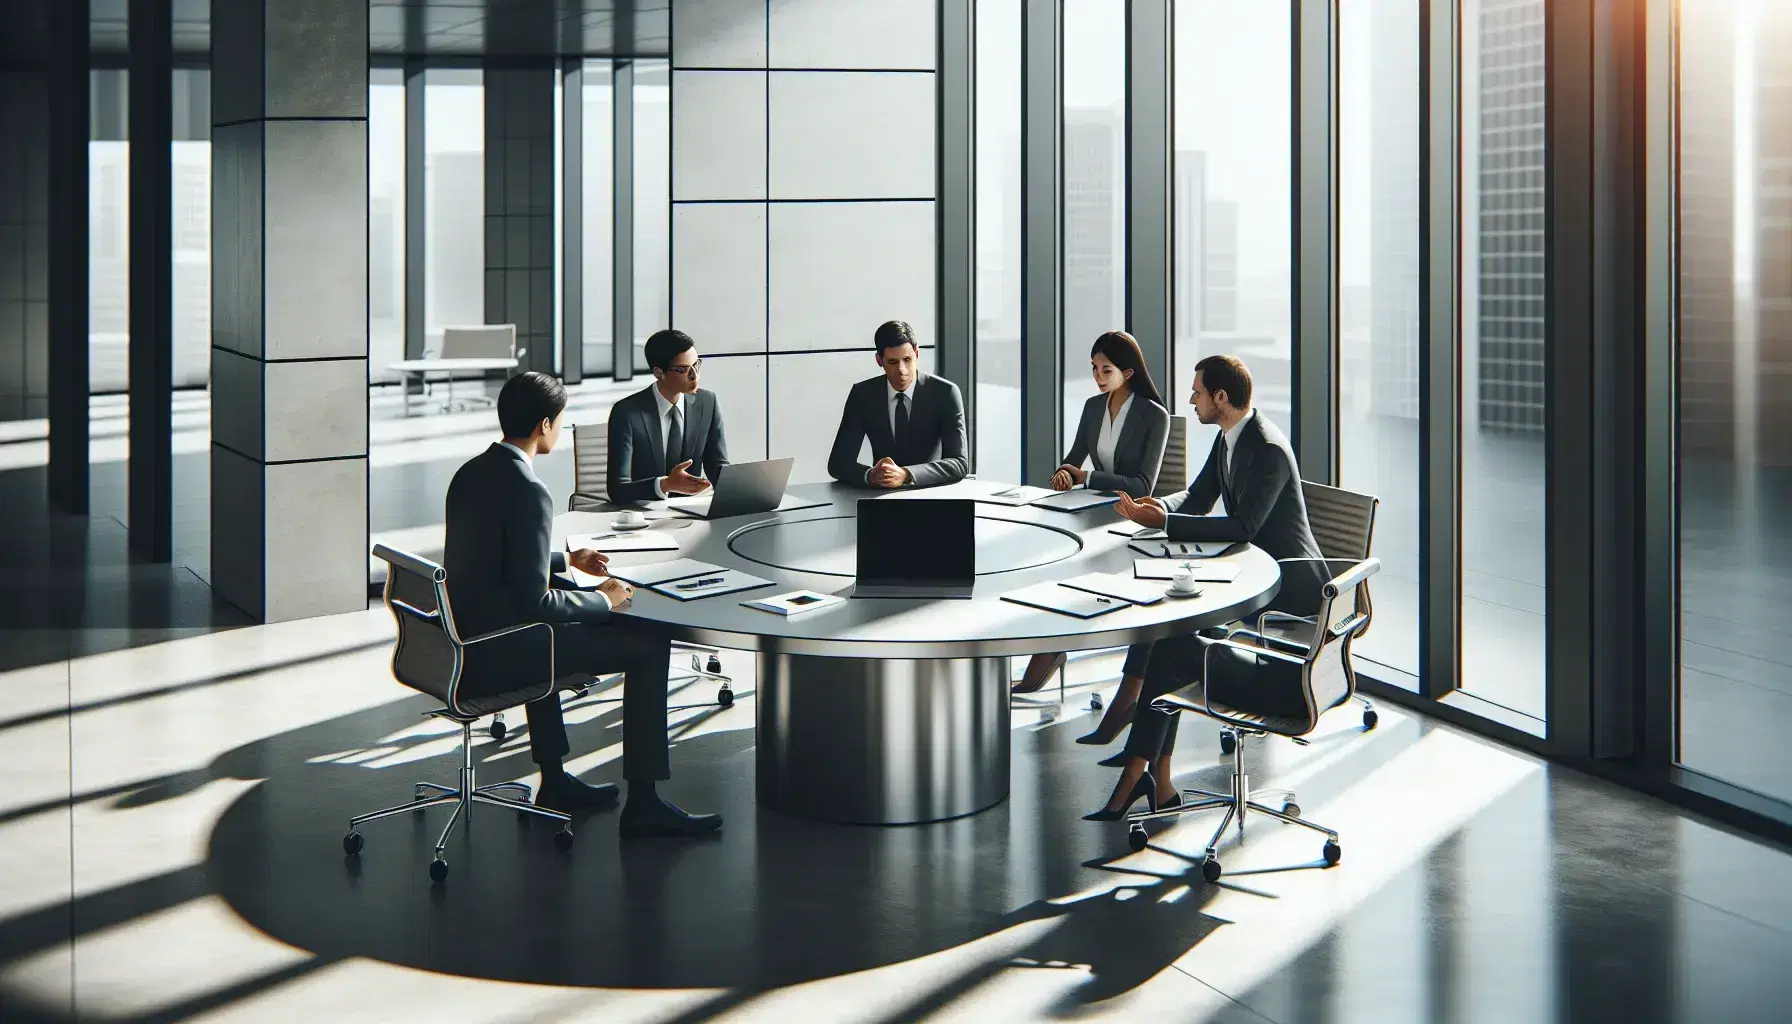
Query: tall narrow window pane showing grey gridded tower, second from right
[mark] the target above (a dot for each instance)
(1503, 352)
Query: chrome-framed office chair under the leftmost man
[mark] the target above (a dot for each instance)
(472, 677)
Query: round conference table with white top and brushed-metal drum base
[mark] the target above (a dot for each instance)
(897, 711)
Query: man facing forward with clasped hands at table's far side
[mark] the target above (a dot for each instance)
(915, 422)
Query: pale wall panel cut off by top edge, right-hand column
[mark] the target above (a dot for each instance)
(854, 35)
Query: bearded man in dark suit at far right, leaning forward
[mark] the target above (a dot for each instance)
(1254, 469)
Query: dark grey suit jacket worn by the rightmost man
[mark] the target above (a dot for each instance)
(1264, 507)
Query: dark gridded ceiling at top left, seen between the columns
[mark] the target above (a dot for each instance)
(469, 30)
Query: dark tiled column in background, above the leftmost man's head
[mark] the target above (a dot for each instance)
(521, 207)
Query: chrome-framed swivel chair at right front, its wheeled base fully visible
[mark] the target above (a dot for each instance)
(1252, 675)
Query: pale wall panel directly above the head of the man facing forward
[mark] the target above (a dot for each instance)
(840, 270)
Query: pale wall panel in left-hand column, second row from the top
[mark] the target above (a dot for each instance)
(718, 135)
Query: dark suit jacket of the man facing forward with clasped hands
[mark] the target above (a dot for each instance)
(936, 453)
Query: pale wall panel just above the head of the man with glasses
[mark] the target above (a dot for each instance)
(719, 275)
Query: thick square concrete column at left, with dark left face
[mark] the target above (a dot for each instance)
(289, 284)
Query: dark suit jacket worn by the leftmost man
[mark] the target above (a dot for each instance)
(499, 555)
